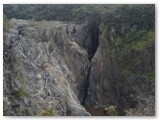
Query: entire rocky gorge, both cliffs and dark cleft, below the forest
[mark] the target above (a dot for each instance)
(63, 68)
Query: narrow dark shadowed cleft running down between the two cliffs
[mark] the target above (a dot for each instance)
(91, 43)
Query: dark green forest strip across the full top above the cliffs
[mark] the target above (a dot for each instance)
(80, 12)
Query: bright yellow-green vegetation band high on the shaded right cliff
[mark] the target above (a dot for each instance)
(135, 43)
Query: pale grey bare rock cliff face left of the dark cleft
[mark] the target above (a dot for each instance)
(45, 68)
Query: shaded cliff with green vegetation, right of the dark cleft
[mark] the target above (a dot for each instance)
(122, 69)
